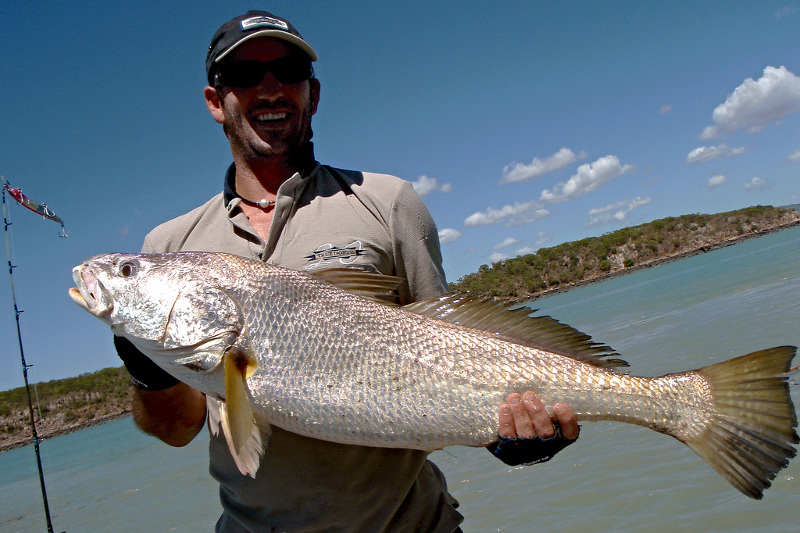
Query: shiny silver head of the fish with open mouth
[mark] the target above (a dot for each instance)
(174, 307)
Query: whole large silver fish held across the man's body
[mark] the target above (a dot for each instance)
(271, 346)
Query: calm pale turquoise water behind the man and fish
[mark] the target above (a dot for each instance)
(617, 477)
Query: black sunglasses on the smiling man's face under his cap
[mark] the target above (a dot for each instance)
(247, 74)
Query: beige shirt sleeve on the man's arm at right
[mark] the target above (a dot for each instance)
(418, 257)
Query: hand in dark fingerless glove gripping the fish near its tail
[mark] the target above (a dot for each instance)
(527, 433)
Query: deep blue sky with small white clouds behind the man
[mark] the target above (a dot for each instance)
(523, 124)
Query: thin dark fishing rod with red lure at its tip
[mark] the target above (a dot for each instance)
(46, 213)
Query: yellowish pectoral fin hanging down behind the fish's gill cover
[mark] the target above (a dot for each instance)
(236, 414)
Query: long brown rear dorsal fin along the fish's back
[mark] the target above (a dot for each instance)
(517, 326)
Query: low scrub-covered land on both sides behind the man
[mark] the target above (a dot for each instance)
(75, 403)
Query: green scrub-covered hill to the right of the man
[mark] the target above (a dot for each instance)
(577, 262)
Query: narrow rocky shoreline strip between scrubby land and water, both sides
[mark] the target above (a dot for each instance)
(57, 432)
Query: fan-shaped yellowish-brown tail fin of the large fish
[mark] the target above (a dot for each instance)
(749, 438)
